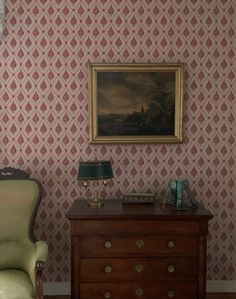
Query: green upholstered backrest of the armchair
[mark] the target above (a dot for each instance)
(19, 200)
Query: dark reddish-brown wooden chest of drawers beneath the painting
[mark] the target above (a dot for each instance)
(145, 252)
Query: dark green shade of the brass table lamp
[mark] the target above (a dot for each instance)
(95, 170)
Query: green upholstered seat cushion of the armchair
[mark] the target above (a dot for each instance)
(15, 284)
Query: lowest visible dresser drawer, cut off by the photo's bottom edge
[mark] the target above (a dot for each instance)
(153, 290)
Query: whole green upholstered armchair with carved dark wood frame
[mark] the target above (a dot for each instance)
(21, 256)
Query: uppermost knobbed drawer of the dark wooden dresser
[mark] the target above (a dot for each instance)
(125, 246)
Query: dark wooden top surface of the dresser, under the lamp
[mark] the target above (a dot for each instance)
(114, 209)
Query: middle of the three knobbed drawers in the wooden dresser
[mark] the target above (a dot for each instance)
(138, 269)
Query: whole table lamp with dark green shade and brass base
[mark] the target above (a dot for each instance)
(95, 171)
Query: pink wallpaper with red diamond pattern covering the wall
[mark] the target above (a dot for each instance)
(44, 55)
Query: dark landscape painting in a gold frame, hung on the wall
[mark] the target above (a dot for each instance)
(136, 103)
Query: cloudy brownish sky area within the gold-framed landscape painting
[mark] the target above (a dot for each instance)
(126, 92)
